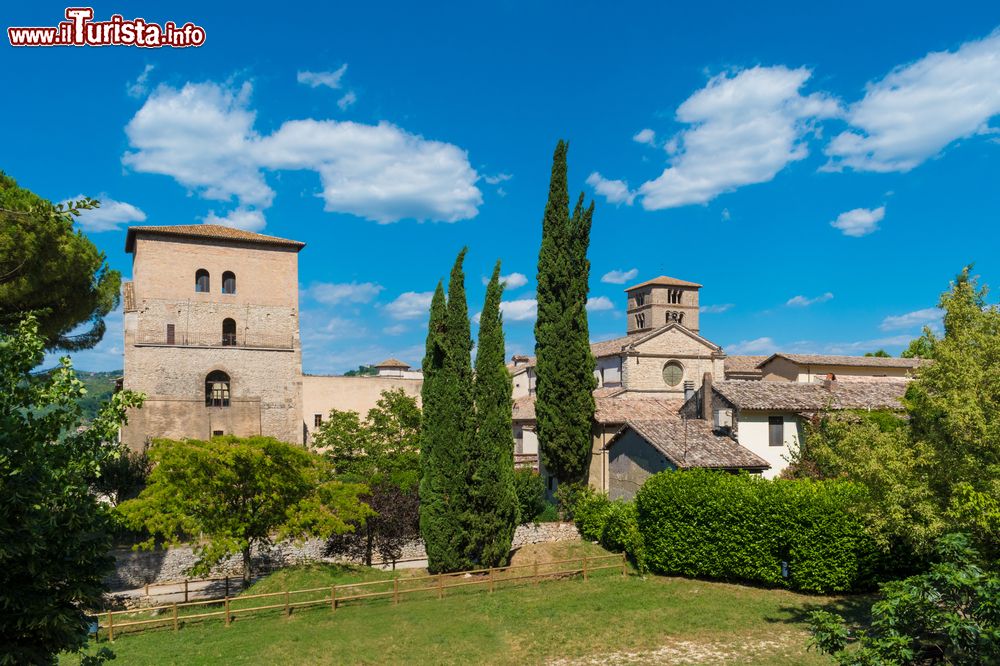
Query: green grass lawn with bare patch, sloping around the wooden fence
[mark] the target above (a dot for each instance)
(607, 618)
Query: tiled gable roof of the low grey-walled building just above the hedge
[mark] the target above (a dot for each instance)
(693, 443)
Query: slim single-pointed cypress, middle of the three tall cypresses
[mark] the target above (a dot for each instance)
(493, 502)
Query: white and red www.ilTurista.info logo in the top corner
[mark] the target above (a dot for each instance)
(81, 30)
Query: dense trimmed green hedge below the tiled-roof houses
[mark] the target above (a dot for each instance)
(738, 527)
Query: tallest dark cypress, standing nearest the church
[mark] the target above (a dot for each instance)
(564, 404)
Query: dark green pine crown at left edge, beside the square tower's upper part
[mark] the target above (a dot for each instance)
(48, 270)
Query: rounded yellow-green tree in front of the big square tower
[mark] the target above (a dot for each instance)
(238, 493)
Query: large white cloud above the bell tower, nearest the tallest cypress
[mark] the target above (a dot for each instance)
(745, 128)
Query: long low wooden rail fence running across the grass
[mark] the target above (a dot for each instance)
(176, 614)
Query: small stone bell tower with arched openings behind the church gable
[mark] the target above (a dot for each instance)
(661, 301)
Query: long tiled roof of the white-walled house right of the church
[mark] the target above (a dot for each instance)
(809, 397)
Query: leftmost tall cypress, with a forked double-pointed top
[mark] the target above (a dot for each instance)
(449, 426)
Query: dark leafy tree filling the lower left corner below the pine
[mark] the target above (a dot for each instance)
(54, 534)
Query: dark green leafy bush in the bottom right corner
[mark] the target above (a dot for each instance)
(947, 615)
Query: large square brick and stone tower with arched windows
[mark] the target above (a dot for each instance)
(212, 334)
